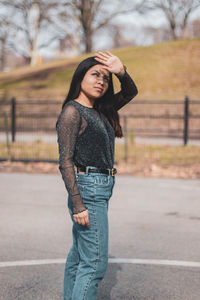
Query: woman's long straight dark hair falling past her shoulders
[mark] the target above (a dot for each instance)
(103, 104)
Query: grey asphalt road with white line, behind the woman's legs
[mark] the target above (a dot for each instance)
(154, 248)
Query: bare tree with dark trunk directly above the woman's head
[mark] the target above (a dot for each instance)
(93, 15)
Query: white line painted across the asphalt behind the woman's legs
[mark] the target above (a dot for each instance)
(179, 263)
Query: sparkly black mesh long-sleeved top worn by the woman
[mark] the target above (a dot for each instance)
(84, 139)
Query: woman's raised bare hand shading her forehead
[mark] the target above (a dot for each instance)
(112, 63)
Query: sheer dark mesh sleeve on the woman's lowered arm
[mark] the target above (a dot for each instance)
(67, 127)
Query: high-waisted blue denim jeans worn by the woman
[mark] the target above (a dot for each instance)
(87, 260)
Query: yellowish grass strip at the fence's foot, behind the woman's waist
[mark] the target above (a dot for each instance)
(137, 154)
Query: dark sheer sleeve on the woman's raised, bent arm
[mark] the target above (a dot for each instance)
(128, 90)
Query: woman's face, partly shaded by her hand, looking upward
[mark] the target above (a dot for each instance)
(95, 82)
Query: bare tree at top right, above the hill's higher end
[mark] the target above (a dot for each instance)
(177, 13)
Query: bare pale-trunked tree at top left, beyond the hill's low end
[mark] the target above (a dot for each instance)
(31, 18)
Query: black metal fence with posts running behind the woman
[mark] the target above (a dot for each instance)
(32, 124)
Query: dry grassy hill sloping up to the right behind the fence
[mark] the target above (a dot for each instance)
(162, 71)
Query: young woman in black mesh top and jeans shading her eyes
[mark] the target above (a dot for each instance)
(86, 129)
